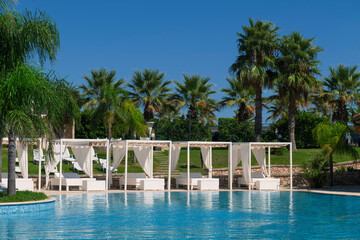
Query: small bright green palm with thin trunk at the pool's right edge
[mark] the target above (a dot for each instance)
(332, 140)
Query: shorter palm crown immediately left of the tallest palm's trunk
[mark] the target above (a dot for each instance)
(239, 96)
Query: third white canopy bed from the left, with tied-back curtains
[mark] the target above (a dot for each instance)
(192, 180)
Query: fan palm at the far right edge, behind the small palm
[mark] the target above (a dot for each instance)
(342, 87)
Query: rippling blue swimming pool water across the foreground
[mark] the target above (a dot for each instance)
(195, 215)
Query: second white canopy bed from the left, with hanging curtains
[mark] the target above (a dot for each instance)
(143, 150)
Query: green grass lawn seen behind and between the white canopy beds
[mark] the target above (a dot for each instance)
(220, 160)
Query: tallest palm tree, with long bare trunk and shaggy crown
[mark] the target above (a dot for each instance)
(257, 47)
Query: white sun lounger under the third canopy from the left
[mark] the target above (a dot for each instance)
(197, 181)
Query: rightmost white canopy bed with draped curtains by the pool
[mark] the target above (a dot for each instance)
(261, 180)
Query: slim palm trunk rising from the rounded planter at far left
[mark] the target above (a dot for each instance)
(11, 164)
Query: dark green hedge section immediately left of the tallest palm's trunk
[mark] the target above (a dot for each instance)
(230, 130)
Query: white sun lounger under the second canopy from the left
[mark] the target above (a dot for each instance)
(140, 181)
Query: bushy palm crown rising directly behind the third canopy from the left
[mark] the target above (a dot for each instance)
(195, 94)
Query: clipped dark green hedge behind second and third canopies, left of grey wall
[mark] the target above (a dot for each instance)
(178, 130)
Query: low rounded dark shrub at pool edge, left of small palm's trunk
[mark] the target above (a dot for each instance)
(315, 171)
